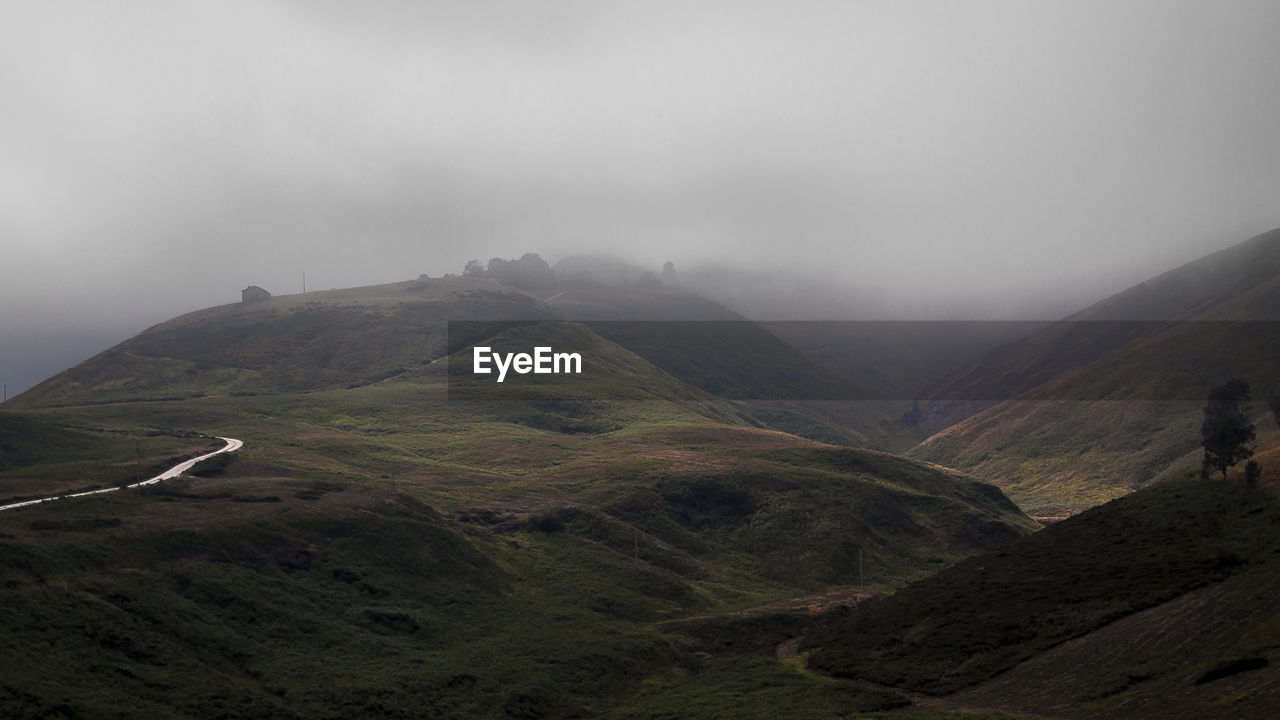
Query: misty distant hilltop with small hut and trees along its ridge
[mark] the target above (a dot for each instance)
(360, 336)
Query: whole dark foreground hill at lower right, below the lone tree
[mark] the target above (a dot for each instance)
(1160, 601)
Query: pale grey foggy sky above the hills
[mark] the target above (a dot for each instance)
(989, 160)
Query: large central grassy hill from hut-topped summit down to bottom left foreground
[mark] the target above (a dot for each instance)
(382, 548)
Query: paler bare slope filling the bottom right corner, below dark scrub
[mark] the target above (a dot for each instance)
(1199, 657)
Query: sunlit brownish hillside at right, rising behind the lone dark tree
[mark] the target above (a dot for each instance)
(1096, 405)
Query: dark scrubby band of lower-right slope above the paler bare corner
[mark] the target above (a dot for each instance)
(991, 613)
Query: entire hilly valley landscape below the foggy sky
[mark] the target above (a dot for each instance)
(712, 520)
